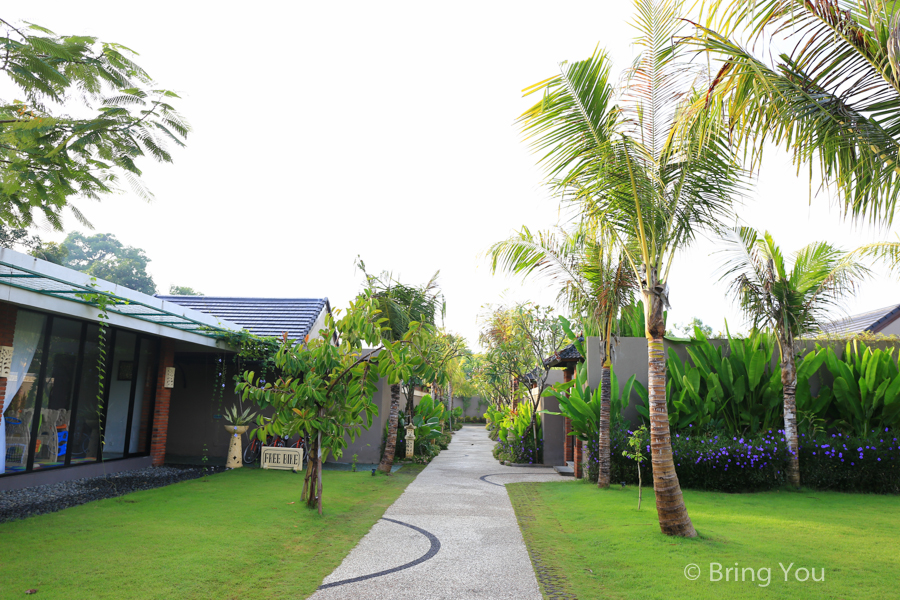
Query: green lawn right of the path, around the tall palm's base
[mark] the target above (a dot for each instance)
(595, 544)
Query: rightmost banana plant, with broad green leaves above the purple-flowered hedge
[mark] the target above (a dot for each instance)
(866, 388)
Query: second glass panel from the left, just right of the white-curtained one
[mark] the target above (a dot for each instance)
(57, 394)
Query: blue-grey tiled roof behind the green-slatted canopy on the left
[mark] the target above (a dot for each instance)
(261, 316)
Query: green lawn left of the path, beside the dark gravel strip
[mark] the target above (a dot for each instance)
(240, 534)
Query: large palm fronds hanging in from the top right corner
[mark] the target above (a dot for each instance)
(833, 100)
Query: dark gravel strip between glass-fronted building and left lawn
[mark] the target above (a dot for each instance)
(43, 499)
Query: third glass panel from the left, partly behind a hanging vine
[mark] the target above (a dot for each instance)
(84, 433)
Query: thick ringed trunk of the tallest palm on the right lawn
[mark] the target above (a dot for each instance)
(670, 508)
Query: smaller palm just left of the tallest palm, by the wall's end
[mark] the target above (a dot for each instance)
(593, 280)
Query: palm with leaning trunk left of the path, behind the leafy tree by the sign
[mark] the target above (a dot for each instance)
(401, 305)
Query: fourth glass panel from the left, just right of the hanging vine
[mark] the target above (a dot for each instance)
(119, 382)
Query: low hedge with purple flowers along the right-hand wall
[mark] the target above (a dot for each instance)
(728, 463)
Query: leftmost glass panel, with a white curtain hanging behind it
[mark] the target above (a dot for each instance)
(21, 392)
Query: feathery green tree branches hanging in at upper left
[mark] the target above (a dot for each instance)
(48, 157)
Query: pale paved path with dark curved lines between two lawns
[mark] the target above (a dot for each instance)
(452, 534)
